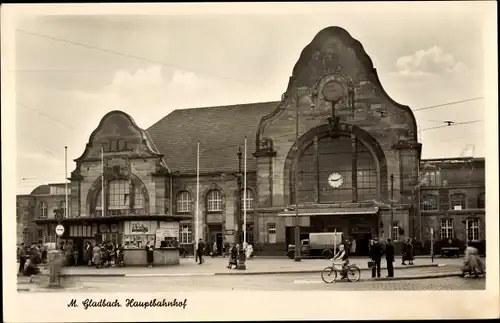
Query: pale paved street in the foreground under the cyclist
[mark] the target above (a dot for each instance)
(292, 282)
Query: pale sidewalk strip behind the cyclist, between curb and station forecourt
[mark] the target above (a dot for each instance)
(217, 266)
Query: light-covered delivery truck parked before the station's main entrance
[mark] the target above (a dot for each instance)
(319, 245)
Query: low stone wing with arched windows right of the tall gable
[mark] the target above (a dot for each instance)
(441, 181)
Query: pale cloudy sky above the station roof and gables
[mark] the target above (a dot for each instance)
(72, 70)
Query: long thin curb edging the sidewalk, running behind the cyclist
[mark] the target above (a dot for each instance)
(234, 273)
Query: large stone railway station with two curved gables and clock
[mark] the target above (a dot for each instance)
(335, 146)
